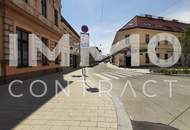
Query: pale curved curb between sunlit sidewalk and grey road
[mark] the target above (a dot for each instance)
(124, 122)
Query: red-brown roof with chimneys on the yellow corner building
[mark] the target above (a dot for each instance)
(155, 23)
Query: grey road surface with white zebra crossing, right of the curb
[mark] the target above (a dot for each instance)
(150, 113)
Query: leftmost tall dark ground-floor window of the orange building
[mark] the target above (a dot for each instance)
(22, 48)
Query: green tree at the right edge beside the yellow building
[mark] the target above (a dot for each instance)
(185, 42)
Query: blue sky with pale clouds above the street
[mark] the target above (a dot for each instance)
(105, 17)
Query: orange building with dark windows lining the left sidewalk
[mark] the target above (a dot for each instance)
(24, 17)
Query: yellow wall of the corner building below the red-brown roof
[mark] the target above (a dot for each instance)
(162, 49)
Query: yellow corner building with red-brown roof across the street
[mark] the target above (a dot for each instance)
(147, 26)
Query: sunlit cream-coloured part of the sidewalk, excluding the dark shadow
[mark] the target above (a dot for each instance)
(76, 112)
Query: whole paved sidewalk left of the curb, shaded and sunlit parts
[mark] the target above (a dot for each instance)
(56, 112)
